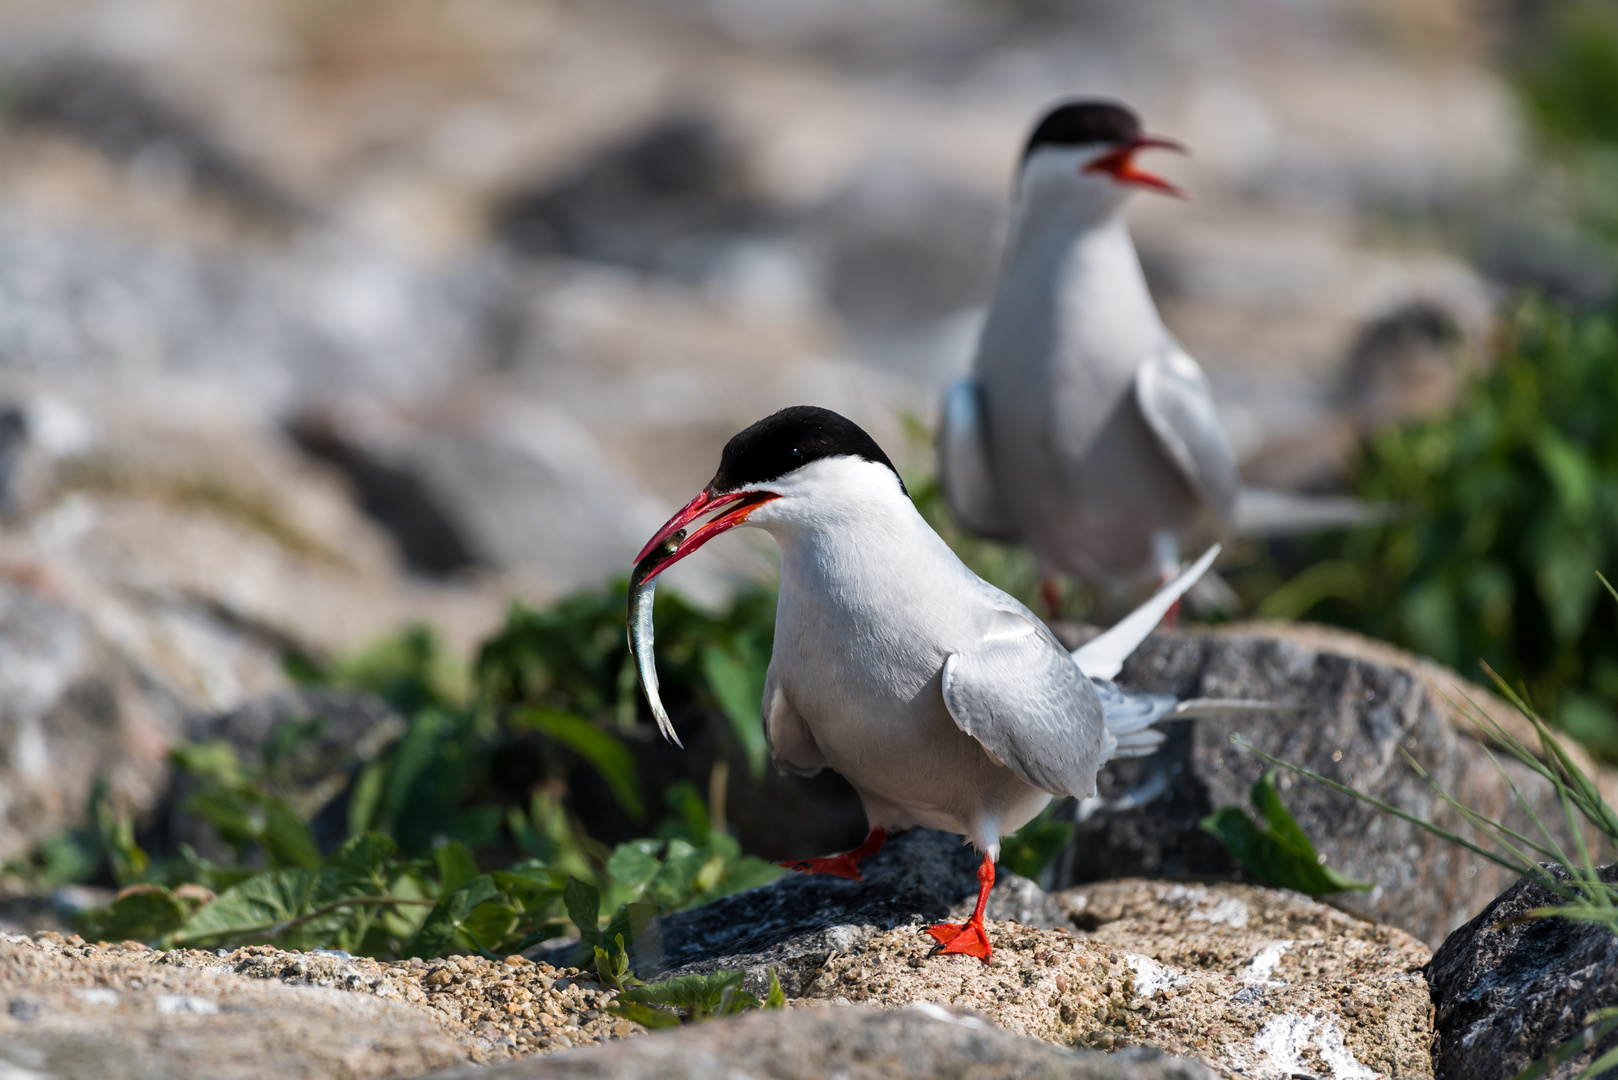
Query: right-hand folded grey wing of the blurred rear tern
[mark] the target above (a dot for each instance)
(1179, 407)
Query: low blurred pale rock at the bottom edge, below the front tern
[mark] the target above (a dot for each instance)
(923, 1044)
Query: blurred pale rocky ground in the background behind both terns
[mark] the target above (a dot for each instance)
(326, 320)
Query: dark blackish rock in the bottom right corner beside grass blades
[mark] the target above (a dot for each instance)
(1509, 995)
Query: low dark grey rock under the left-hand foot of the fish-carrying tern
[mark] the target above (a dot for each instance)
(800, 921)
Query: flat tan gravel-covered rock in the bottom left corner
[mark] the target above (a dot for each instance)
(320, 1014)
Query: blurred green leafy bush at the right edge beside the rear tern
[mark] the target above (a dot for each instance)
(1514, 506)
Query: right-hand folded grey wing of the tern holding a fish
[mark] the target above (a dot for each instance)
(1028, 705)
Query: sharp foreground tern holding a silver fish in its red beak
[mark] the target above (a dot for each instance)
(942, 700)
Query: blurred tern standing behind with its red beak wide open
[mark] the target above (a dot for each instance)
(1085, 430)
